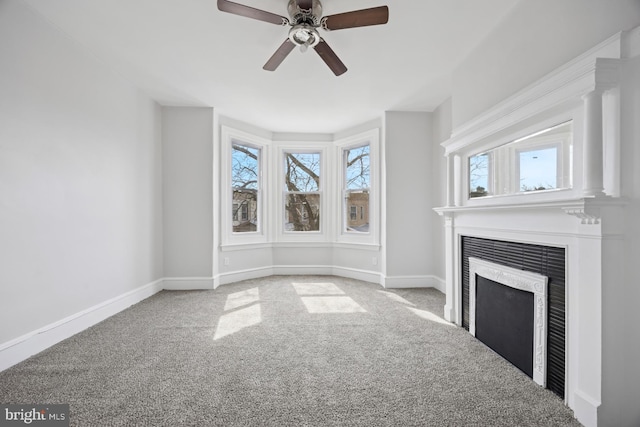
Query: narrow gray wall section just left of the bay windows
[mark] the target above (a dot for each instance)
(187, 162)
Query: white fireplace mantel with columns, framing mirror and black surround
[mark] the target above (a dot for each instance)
(587, 219)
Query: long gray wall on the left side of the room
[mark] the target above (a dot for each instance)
(80, 178)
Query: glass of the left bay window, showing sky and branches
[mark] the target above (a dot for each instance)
(244, 179)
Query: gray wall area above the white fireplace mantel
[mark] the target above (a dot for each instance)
(533, 40)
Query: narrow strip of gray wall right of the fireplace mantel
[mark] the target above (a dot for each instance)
(620, 335)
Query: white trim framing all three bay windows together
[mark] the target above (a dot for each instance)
(271, 210)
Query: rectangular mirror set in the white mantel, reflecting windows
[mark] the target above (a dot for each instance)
(537, 162)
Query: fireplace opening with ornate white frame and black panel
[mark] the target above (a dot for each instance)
(507, 311)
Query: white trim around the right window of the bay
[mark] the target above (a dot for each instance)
(342, 235)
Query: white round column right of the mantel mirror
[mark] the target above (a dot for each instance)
(592, 165)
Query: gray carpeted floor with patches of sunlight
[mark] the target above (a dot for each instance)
(283, 351)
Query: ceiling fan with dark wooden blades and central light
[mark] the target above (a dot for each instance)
(305, 17)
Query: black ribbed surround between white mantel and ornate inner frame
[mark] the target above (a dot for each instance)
(545, 260)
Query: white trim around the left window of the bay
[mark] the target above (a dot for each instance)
(229, 136)
